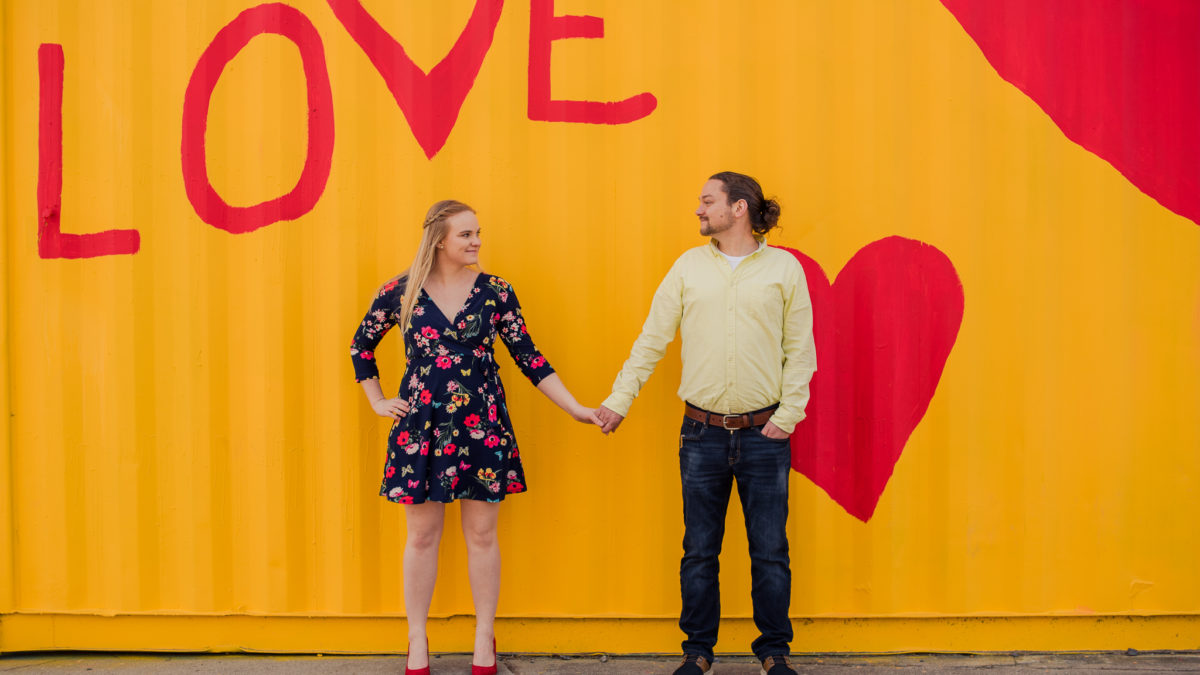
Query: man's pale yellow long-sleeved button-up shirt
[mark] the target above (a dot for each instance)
(747, 336)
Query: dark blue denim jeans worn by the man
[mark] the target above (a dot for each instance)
(711, 459)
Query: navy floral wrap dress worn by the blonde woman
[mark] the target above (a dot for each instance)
(457, 441)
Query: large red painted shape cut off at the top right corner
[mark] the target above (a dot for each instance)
(1119, 77)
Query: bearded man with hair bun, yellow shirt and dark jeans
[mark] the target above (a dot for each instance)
(746, 321)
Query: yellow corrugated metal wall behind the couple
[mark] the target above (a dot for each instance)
(185, 438)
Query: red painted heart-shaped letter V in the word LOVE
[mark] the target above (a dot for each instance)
(430, 103)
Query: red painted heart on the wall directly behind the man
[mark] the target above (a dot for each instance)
(884, 332)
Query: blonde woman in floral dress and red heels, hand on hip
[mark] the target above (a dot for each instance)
(453, 439)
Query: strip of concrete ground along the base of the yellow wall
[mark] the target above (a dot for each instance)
(1108, 664)
